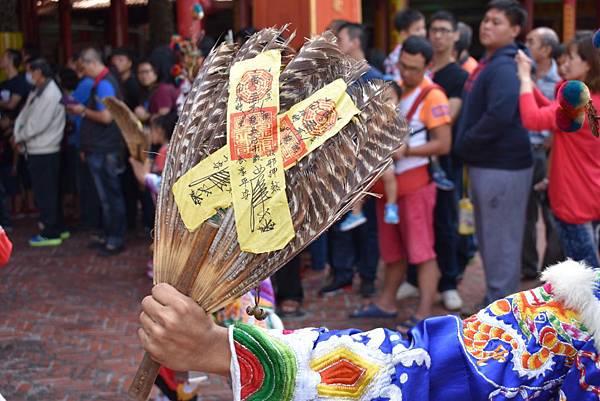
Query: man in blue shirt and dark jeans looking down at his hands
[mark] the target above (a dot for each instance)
(103, 148)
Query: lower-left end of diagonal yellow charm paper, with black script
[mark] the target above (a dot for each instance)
(204, 189)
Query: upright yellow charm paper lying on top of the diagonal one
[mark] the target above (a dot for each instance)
(262, 216)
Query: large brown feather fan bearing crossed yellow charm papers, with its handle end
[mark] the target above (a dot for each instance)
(252, 113)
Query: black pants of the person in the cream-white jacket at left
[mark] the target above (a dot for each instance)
(45, 178)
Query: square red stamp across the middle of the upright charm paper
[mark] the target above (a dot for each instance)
(253, 133)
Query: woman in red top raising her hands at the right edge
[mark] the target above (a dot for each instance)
(574, 168)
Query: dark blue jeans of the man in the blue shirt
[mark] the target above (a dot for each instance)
(106, 169)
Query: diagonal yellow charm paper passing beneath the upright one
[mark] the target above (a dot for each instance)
(308, 124)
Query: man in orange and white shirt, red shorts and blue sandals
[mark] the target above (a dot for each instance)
(425, 107)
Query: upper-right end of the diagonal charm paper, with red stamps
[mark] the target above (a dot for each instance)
(311, 122)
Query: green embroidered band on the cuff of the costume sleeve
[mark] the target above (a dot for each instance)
(278, 361)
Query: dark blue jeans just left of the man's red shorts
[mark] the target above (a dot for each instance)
(358, 247)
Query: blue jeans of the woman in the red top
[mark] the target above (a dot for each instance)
(579, 242)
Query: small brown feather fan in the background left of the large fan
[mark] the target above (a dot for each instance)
(131, 128)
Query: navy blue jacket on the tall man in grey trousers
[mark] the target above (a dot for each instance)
(490, 133)
